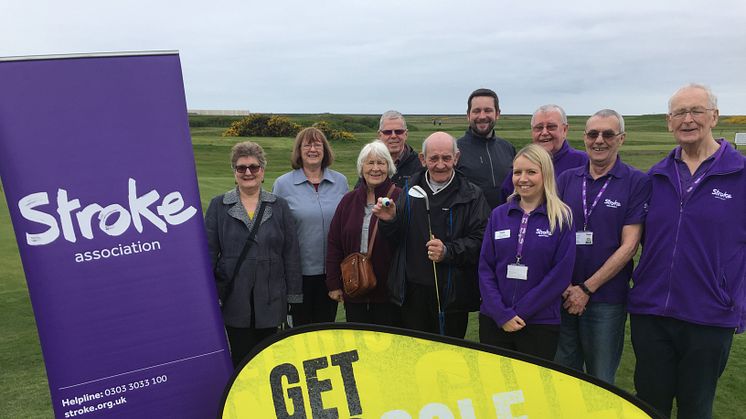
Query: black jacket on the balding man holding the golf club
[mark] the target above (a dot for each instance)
(457, 273)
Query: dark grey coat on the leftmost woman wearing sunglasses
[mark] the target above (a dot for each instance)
(271, 270)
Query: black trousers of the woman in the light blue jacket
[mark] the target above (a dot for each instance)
(316, 307)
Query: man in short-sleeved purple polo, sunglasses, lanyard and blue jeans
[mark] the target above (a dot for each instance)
(608, 199)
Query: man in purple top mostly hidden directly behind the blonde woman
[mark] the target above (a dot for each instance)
(549, 129)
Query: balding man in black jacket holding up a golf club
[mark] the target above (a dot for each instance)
(438, 225)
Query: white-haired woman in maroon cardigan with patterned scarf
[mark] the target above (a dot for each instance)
(351, 227)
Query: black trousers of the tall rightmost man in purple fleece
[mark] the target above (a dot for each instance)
(681, 360)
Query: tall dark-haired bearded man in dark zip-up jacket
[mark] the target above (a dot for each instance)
(486, 159)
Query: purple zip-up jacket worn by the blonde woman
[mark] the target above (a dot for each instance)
(549, 256)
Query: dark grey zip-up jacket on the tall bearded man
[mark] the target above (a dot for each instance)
(486, 161)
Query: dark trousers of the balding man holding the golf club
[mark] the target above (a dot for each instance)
(420, 312)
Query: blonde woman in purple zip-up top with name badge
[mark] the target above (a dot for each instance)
(527, 258)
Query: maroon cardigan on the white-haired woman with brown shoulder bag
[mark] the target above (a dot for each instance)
(344, 239)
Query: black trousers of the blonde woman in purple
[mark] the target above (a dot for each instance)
(539, 340)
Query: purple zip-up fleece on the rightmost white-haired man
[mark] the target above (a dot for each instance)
(693, 263)
